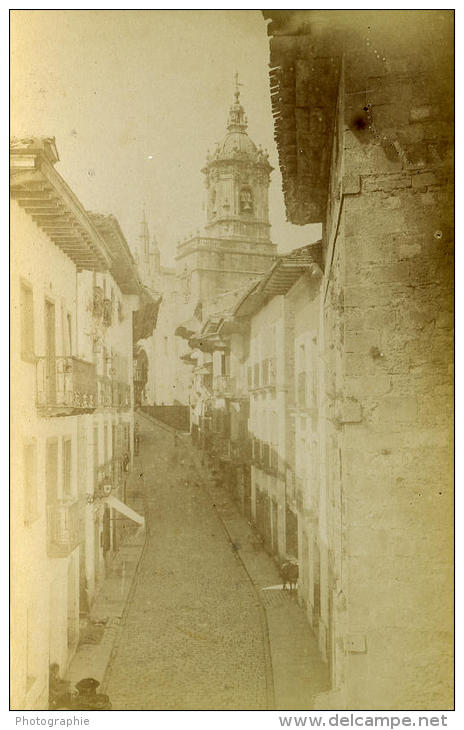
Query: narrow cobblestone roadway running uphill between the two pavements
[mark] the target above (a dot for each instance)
(193, 637)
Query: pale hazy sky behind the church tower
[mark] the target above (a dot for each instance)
(135, 99)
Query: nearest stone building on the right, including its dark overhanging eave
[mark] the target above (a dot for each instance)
(377, 128)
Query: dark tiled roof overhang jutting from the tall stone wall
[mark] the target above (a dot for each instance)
(305, 59)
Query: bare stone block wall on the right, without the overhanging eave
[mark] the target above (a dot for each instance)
(388, 343)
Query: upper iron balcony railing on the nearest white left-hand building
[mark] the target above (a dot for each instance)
(66, 385)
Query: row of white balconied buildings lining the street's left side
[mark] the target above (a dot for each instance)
(74, 289)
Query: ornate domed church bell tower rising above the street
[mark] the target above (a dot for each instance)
(234, 245)
